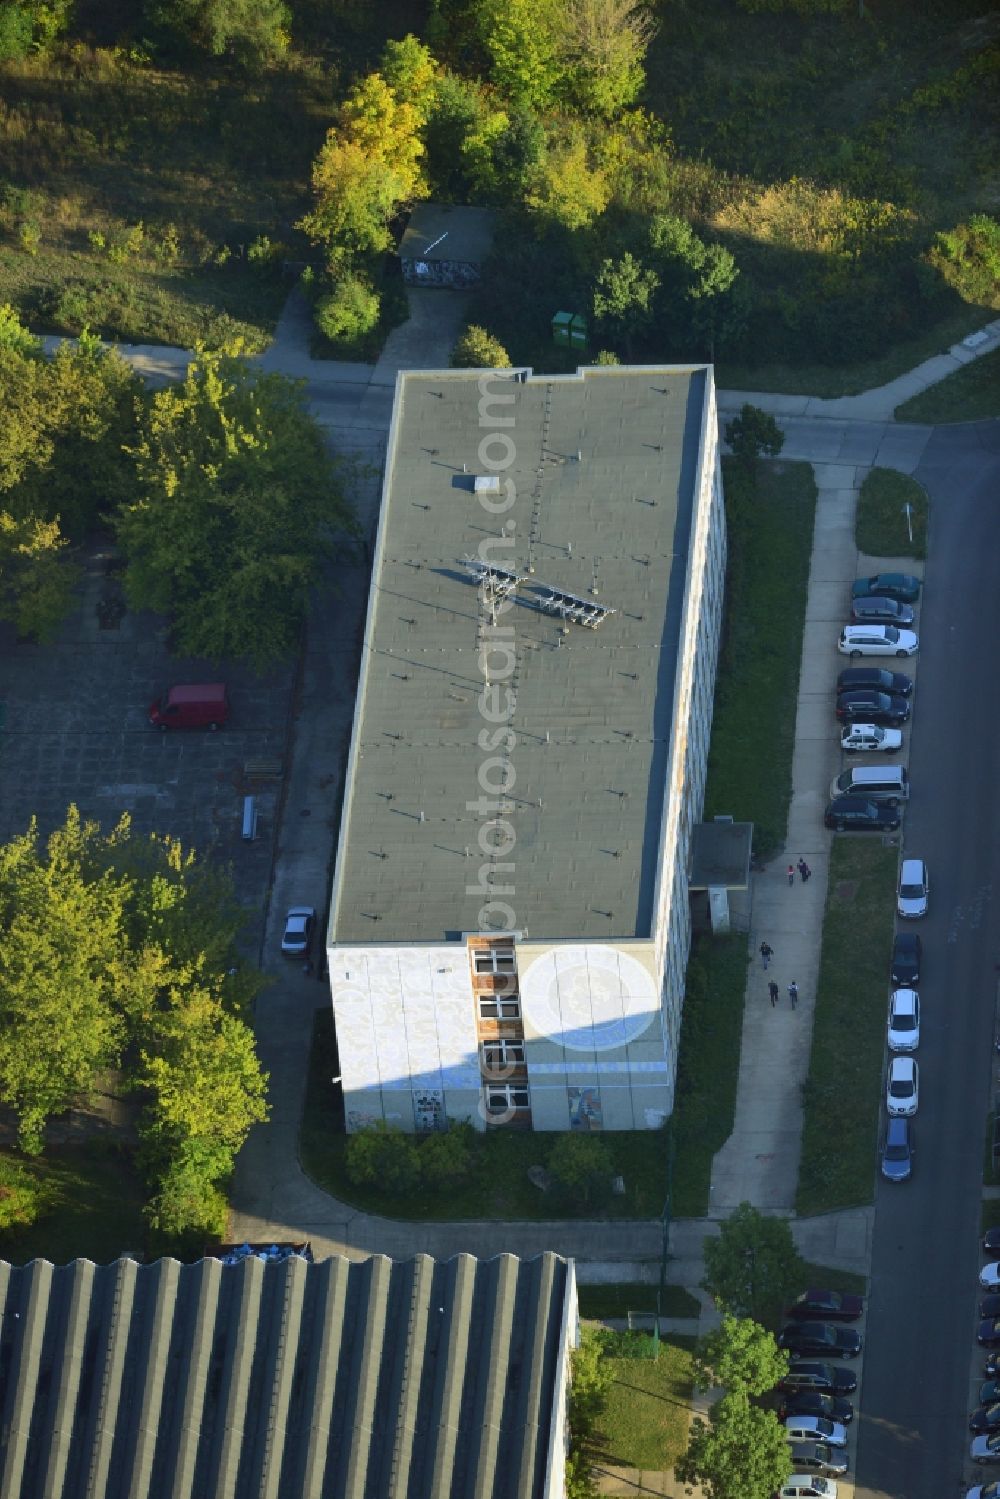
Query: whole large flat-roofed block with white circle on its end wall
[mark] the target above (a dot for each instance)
(510, 920)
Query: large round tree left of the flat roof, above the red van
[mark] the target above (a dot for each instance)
(236, 506)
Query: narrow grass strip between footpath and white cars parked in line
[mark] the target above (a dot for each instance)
(837, 1168)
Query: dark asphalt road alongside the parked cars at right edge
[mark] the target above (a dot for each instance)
(920, 1354)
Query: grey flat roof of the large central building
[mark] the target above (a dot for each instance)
(593, 710)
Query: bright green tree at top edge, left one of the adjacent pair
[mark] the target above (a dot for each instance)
(522, 41)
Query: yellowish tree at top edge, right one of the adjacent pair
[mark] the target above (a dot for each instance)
(602, 47)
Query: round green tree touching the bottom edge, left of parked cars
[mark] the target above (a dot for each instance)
(741, 1453)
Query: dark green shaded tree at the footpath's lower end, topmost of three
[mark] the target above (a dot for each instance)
(753, 1267)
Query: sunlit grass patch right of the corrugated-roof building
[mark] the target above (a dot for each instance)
(647, 1410)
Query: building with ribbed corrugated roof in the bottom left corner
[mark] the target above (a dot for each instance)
(340, 1380)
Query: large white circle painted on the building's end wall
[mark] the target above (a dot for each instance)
(588, 999)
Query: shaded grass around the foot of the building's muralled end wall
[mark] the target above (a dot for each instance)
(499, 1185)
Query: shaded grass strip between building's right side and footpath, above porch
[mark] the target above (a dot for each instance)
(770, 548)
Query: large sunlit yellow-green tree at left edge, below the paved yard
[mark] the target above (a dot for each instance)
(61, 938)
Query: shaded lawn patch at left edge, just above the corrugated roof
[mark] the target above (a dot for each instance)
(95, 1207)
